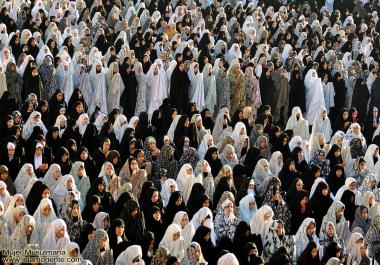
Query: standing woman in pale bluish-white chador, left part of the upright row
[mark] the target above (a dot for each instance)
(98, 84)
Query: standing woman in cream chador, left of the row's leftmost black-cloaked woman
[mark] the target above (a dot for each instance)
(115, 86)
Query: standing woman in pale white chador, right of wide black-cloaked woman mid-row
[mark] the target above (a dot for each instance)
(197, 89)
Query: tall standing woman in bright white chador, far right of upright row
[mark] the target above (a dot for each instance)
(314, 94)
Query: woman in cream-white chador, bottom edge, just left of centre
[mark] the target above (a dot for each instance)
(174, 241)
